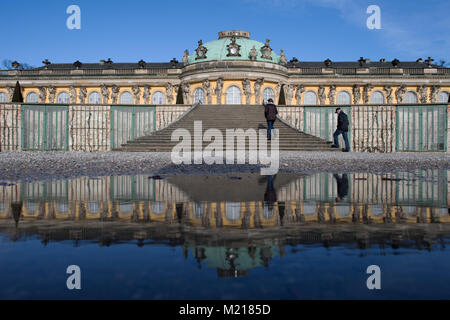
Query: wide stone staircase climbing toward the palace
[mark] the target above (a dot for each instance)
(224, 117)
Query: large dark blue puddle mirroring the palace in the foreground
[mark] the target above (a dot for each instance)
(227, 236)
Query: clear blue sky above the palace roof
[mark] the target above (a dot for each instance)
(157, 31)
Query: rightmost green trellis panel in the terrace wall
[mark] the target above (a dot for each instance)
(421, 128)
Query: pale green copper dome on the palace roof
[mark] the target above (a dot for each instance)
(217, 50)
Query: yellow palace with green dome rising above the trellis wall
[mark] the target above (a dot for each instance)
(232, 70)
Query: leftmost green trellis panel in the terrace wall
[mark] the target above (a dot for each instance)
(45, 128)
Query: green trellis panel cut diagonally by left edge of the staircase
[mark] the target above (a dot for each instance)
(131, 122)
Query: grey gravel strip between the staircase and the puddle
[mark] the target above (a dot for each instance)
(31, 166)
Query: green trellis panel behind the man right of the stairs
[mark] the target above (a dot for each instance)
(322, 121)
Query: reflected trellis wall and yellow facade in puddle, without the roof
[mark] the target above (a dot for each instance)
(371, 199)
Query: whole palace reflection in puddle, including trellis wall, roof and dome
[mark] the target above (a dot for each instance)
(148, 211)
